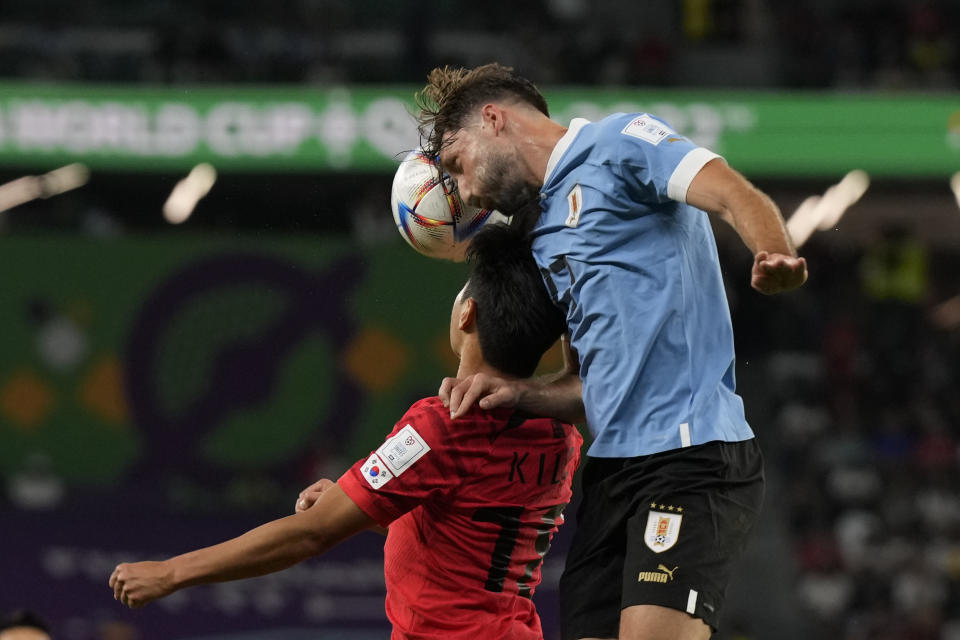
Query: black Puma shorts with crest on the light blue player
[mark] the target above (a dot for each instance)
(663, 529)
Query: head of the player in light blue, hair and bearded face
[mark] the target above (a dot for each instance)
(462, 123)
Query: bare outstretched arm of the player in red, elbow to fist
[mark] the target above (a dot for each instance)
(266, 549)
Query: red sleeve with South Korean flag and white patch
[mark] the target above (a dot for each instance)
(413, 465)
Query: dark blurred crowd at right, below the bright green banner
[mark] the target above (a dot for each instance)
(863, 403)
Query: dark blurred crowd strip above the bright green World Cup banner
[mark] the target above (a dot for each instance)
(886, 44)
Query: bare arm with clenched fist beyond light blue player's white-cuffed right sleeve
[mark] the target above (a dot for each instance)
(720, 190)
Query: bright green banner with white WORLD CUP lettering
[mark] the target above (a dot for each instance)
(366, 128)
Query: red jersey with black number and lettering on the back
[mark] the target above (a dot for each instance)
(472, 505)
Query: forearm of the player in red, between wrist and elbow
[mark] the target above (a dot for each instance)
(270, 547)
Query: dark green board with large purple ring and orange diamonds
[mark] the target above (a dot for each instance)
(225, 354)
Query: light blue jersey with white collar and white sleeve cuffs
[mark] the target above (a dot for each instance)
(636, 270)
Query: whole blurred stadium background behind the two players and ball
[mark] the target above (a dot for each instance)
(166, 386)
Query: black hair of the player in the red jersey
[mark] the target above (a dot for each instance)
(516, 319)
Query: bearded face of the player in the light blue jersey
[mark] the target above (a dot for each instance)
(488, 174)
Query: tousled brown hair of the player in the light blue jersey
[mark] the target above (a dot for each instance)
(453, 94)
